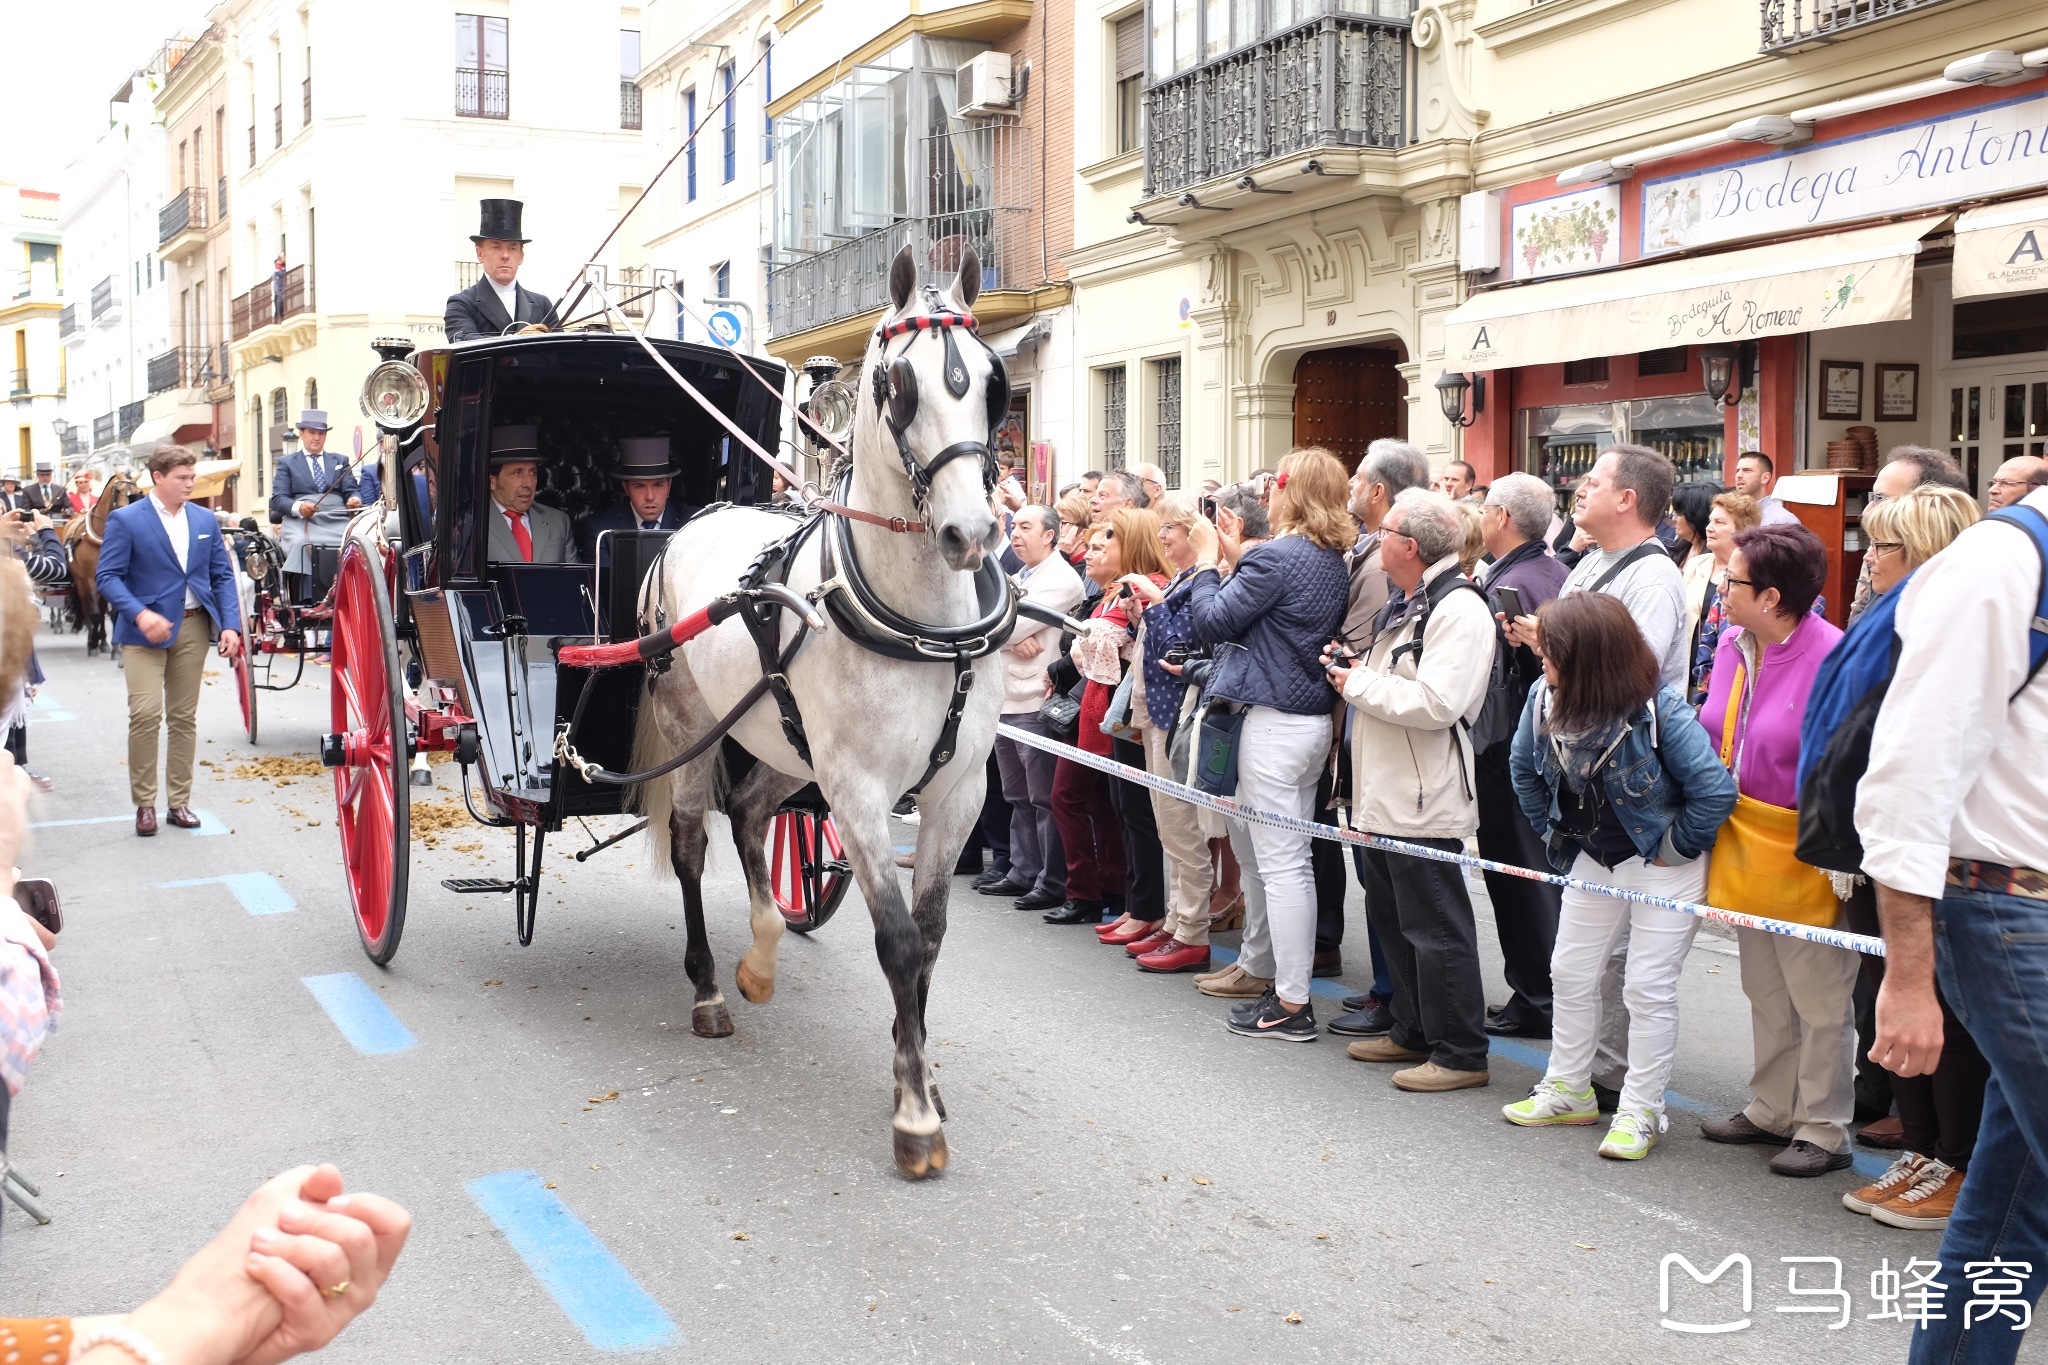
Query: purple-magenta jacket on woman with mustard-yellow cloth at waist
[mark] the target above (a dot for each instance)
(1766, 728)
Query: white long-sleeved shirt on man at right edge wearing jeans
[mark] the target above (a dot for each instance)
(1955, 768)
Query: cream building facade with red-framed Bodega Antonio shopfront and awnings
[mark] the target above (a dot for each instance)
(1816, 247)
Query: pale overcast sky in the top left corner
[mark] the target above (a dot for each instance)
(65, 60)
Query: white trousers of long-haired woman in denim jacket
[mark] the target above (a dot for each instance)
(1588, 930)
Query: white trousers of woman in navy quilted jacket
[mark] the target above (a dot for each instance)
(1279, 762)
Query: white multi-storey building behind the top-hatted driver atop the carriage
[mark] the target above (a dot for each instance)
(361, 138)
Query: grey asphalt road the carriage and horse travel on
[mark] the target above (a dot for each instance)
(1129, 1182)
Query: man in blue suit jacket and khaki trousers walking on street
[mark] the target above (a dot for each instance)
(171, 580)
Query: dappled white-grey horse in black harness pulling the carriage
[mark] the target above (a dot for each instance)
(871, 719)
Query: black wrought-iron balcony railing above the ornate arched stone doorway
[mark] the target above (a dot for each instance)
(1330, 83)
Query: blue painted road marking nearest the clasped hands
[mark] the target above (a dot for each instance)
(599, 1294)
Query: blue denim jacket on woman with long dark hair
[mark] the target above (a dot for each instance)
(1664, 781)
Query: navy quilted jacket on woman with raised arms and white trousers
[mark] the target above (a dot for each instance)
(1281, 607)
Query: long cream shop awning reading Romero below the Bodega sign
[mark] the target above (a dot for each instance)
(1838, 281)
